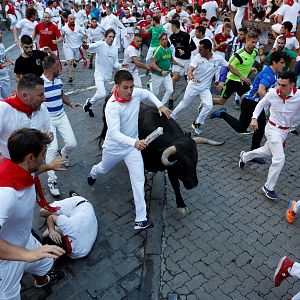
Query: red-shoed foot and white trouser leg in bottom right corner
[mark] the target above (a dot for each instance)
(285, 269)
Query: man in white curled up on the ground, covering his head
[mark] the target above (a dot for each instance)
(73, 227)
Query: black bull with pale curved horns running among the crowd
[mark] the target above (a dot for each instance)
(174, 151)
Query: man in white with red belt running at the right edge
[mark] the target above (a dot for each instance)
(284, 105)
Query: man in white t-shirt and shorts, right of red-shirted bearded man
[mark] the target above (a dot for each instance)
(73, 37)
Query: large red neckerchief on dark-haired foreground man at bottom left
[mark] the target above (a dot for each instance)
(14, 176)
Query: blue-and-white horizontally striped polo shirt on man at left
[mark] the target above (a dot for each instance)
(53, 99)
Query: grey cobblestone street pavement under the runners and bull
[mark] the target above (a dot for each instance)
(227, 247)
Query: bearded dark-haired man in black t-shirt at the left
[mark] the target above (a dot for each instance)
(30, 61)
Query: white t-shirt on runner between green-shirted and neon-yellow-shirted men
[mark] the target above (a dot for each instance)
(205, 70)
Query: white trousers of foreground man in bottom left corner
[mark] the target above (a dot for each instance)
(11, 272)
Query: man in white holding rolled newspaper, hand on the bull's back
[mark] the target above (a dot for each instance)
(122, 142)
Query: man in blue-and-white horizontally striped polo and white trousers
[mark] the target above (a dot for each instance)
(54, 101)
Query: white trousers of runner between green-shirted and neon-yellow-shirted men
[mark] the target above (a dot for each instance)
(190, 94)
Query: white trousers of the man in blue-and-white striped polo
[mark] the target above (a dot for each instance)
(61, 124)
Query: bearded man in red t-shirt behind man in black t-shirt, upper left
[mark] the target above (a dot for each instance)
(49, 33)
